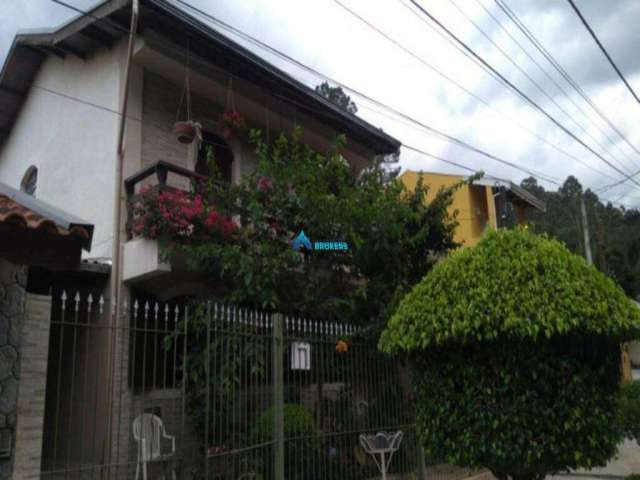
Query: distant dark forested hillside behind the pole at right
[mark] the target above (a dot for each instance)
(615, 231)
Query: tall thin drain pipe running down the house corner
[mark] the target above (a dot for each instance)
(116, 249)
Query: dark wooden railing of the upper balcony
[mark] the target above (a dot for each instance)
(161, 171)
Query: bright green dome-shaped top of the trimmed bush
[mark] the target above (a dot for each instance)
(512, 284)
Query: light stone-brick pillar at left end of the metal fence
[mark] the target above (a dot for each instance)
(33, 381)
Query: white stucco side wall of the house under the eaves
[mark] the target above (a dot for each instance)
(73, 144)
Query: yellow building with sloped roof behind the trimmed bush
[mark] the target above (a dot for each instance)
(483, 204)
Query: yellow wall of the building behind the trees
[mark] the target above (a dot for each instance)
(475, 204)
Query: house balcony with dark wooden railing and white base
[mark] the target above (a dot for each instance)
(143, 260)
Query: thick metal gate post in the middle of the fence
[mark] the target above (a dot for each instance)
(278, 397)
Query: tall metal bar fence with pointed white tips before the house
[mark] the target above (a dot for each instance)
(210, 391)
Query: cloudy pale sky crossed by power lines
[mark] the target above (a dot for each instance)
(417, 71)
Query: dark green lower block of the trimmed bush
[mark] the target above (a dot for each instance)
(520, 408)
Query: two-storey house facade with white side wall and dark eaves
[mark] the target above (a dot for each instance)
(88, 120)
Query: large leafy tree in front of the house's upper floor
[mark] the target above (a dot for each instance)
(393, 236)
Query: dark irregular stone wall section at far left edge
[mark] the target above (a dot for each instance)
(13, 279)
